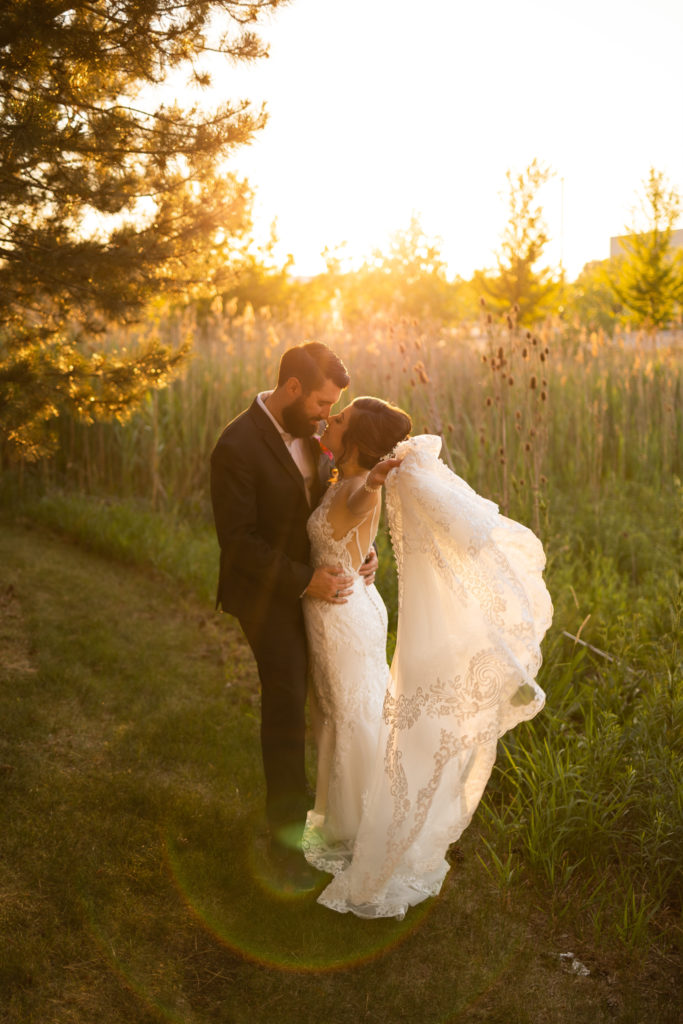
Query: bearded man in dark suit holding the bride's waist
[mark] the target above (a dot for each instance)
(268, 475)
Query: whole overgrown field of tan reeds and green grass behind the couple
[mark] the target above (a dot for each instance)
(578, 436)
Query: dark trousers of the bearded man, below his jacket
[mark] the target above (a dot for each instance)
(278, 639)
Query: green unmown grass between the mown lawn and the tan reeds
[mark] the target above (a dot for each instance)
(586, 800)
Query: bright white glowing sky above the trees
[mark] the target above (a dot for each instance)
(385, 109)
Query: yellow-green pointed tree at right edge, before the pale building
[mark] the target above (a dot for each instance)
(649, 278)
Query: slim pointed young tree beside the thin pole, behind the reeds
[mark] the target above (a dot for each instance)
(520, 283)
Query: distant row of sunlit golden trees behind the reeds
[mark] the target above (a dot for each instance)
(642, 289)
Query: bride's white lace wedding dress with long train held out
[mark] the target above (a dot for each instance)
(405, 755)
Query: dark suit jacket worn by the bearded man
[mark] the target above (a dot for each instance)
(261, 511)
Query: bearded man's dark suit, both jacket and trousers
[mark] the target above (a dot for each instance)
(261, 510)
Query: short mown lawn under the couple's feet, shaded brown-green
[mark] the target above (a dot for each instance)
(133, 841)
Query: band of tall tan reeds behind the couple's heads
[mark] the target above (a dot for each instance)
(522, 413)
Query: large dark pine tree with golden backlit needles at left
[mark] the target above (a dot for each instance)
(107, 198)
